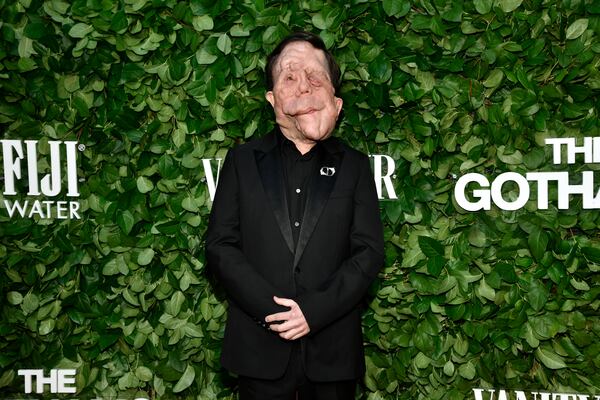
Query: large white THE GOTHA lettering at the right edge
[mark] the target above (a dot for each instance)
(488, 193)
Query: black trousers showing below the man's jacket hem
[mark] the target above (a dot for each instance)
(294, 385)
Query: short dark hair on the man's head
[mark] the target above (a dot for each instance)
(317, 43)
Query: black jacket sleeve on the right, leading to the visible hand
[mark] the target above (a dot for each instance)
(345, 289)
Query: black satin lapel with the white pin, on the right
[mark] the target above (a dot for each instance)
(320, 188)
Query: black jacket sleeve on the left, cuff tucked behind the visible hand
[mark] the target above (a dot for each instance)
(246, 287)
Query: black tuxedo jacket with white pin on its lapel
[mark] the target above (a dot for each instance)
(339, 251)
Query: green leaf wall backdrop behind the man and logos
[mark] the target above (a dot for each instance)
(499, 299)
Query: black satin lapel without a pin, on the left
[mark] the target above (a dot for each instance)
(270, 170)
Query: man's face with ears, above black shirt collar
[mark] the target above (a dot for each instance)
(303, 96)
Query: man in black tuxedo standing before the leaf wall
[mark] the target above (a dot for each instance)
(295, 237)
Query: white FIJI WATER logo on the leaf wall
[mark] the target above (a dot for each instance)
(20, 163)
